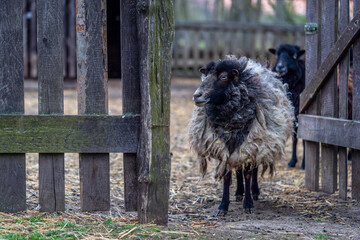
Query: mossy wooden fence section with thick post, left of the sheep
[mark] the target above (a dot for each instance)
(142, 132)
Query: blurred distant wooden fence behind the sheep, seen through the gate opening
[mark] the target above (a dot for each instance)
(197, 43)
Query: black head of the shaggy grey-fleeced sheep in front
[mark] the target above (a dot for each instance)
(217, 79)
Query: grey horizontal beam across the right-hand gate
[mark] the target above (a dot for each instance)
(339, 132)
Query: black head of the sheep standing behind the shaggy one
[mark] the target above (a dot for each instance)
(287, 57)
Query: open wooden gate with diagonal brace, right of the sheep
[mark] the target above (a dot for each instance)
(325, 123)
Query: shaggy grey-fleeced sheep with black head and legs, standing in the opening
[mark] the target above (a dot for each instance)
(242, 118)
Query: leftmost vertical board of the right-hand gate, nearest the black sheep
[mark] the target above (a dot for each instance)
(312, 56)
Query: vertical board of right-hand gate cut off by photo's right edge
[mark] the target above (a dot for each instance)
(355, 180)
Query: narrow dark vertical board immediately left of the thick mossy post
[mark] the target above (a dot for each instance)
(131, 92)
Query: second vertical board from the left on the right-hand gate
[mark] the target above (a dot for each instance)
(328, 96)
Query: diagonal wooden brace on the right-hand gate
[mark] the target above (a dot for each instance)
(339, 50)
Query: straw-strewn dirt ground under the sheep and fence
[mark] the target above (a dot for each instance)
(286, 210)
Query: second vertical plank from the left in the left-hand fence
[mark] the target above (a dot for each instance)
(51, 98)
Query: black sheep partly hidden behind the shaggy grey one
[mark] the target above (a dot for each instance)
(292, 71)
